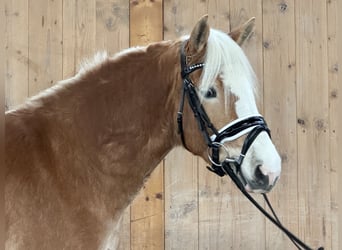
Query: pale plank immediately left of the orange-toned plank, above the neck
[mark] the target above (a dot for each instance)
(112, 25)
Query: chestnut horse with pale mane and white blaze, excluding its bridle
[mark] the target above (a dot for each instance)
(78, 153)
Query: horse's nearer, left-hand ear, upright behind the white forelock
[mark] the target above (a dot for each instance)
(199, 35)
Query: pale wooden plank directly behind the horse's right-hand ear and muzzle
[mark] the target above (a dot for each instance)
(249, 237)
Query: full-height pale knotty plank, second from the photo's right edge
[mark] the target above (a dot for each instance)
(313, 123)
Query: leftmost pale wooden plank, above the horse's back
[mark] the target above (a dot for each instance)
(16, 52)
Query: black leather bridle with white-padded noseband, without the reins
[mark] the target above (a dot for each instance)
(251, 125)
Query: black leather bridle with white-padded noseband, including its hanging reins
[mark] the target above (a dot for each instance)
(251, 126)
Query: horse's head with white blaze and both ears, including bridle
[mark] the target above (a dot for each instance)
(220, 120)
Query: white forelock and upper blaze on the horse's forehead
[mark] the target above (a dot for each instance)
(225, 59)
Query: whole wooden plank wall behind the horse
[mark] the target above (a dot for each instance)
(183, 206)
